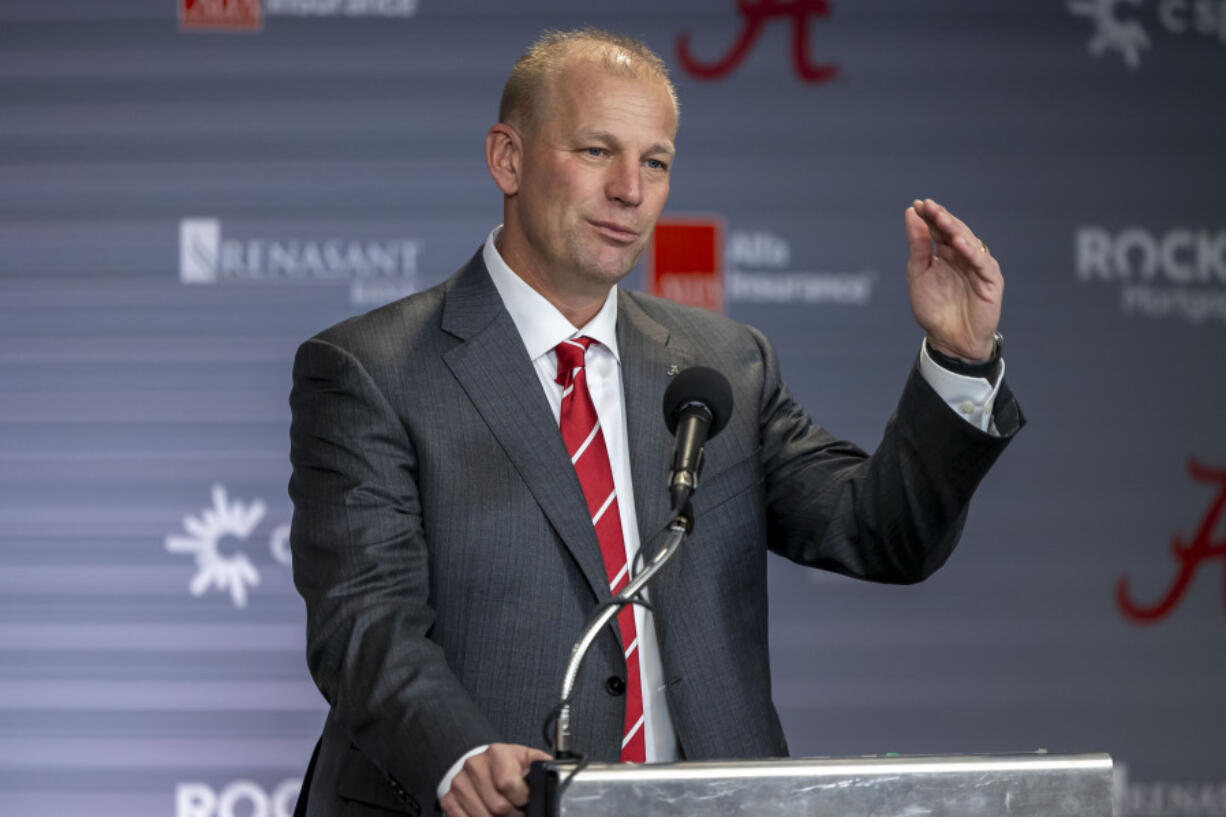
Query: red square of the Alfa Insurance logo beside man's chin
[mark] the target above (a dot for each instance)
(686, 262)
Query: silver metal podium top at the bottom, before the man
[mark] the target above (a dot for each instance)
(974, 786)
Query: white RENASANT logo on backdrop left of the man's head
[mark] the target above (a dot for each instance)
(377, 272)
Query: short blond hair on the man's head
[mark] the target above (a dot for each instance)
(528, 83)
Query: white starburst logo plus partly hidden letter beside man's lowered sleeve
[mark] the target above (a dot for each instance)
(227, 570)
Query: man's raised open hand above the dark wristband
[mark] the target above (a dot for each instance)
(956, 284)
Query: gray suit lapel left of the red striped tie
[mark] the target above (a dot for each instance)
(495, 371)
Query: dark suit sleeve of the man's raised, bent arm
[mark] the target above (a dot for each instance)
(892, 517)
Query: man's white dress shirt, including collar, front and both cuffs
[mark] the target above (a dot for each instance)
(543, 327)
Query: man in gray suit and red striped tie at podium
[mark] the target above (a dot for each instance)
(442, 537)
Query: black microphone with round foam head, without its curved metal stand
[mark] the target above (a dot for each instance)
(698, 405)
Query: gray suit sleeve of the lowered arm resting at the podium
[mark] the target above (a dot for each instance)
(362, 565)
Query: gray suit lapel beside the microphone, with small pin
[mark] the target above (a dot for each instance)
(650, 359)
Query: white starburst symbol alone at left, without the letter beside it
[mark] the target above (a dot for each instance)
(215, 570)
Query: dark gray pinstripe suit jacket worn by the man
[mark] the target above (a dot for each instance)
(443, 548)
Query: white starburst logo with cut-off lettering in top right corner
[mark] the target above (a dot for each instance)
(1125, 28)
